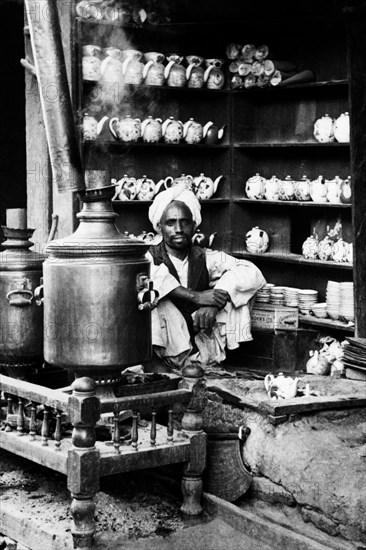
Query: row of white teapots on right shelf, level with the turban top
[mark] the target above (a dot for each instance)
(320, 190)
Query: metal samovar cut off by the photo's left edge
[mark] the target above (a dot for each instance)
(21, 329)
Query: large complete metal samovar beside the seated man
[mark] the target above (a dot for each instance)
(96, 296)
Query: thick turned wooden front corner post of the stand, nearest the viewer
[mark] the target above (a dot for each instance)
(83, 460)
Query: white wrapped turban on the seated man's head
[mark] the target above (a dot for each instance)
(177, 192)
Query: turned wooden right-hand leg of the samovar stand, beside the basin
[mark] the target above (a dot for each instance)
(192, 423)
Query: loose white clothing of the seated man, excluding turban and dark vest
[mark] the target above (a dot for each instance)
(240, 278)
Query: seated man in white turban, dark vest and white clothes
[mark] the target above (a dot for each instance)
(204, 295)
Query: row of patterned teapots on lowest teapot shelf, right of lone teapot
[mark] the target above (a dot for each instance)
(327, 249)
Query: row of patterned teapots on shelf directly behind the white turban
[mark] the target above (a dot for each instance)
(144, 188)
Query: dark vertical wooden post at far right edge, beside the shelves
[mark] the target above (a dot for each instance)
(357, 102)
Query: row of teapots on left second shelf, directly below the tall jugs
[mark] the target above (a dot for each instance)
(152, 130)
